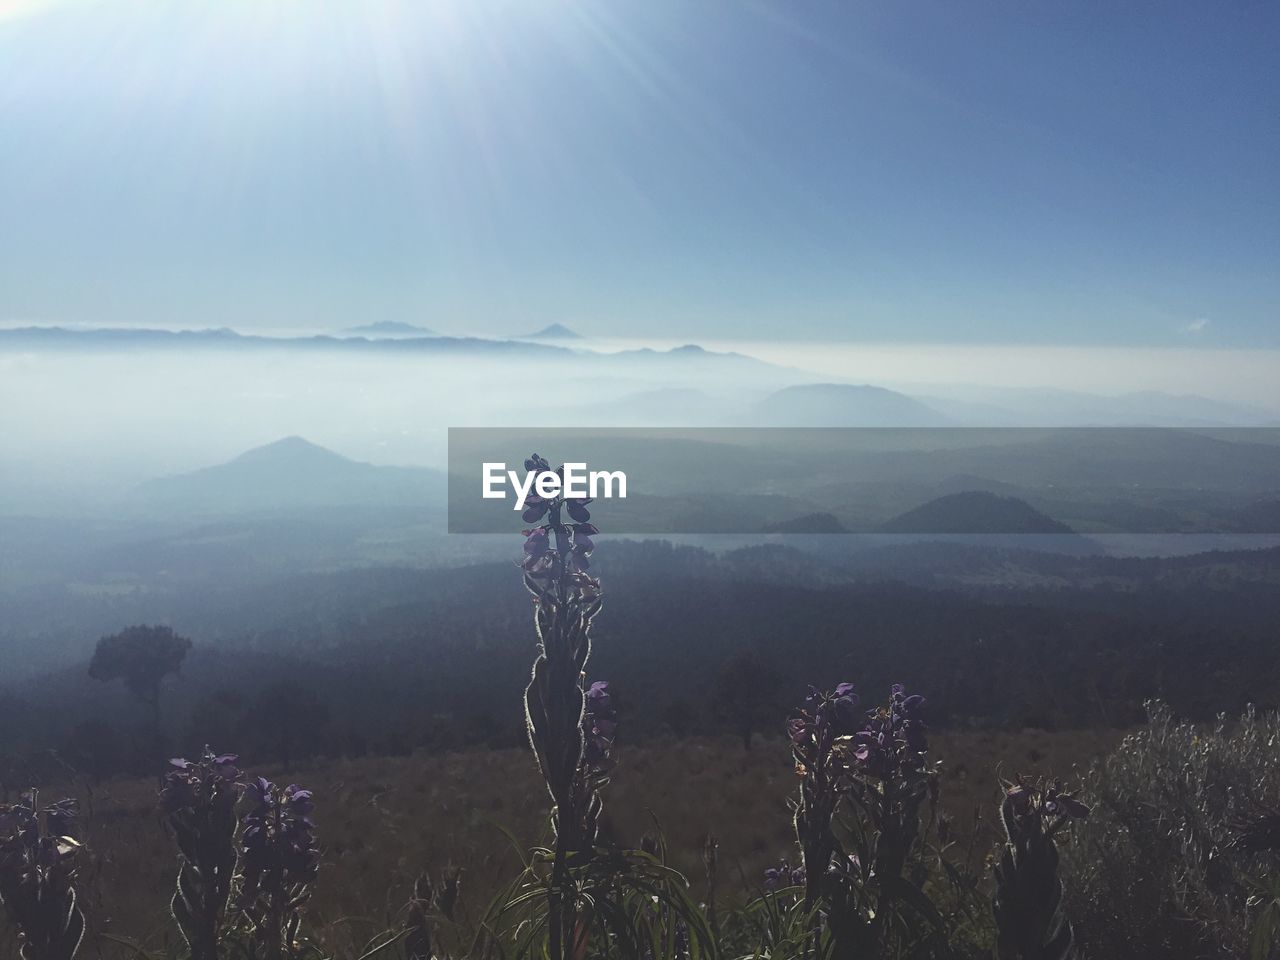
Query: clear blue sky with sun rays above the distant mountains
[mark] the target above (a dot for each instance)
(1008, 173)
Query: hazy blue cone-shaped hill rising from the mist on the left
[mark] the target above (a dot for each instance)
(287, 476)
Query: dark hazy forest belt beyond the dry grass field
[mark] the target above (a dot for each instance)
(408, 660)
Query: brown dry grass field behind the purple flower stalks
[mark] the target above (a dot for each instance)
(383, 821)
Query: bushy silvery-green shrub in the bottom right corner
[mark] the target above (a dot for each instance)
(1183, 848)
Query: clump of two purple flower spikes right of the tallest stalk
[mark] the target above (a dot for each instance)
(874, 883)
